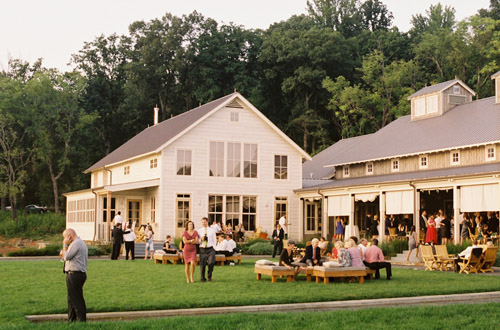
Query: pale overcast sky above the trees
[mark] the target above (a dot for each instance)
(55, 29)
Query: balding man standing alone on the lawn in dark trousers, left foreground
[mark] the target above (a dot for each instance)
(75, 255)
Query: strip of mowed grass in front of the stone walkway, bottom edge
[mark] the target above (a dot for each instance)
(477, 316)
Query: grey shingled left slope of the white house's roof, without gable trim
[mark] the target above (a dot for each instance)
(155, 136)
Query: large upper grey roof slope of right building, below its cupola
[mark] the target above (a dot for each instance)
(468, 124)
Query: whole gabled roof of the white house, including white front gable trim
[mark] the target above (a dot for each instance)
(155, 138)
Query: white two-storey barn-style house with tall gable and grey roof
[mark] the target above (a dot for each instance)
(224, 160)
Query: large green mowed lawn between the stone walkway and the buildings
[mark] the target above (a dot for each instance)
(38, 287)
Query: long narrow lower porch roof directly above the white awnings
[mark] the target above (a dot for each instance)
(410, 176)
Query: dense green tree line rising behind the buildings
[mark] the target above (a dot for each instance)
(339, 71)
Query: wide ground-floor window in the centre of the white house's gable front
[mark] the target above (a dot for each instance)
(231, 210)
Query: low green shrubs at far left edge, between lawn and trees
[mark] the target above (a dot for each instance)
(31, 225)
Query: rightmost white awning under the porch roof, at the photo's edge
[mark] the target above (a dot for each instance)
(479, 198)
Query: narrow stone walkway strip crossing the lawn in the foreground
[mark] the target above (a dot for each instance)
(467, 298)
